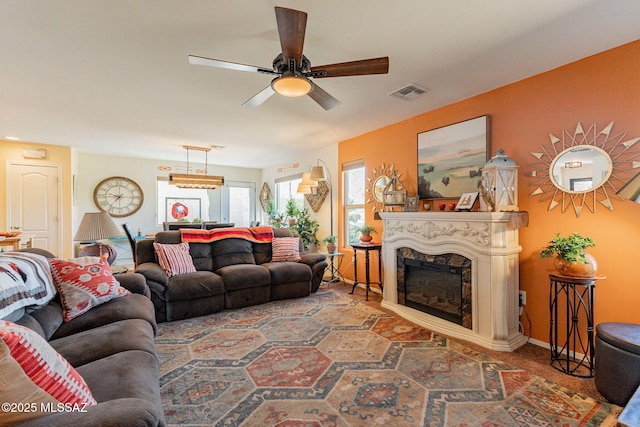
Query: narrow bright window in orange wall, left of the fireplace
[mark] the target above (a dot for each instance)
(354, 186)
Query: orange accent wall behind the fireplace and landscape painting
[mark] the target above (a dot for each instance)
(596, 90)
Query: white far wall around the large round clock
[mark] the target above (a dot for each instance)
(92, 168)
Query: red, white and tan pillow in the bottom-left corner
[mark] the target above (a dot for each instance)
(32, 372)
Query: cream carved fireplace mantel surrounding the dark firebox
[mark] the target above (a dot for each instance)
(490, 241)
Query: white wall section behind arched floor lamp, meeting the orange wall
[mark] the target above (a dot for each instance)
(297, 165)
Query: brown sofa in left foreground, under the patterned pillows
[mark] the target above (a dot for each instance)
(112, 347)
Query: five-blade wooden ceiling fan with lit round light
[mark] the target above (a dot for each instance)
(293, 71)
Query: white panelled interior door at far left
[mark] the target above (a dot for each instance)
(33, 203)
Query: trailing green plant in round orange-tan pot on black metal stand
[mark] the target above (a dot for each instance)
(570, 256)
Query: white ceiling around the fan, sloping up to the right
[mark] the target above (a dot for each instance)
(113, 76)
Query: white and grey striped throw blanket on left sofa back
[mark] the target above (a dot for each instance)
(25, 280)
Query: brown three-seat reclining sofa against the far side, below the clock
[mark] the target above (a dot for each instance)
(231, 273)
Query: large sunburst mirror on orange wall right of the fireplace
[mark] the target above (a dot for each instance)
(583, 169)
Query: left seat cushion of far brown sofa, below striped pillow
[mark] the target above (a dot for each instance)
(194, 285)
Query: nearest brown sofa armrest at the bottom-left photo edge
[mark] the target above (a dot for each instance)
(118, 412)
